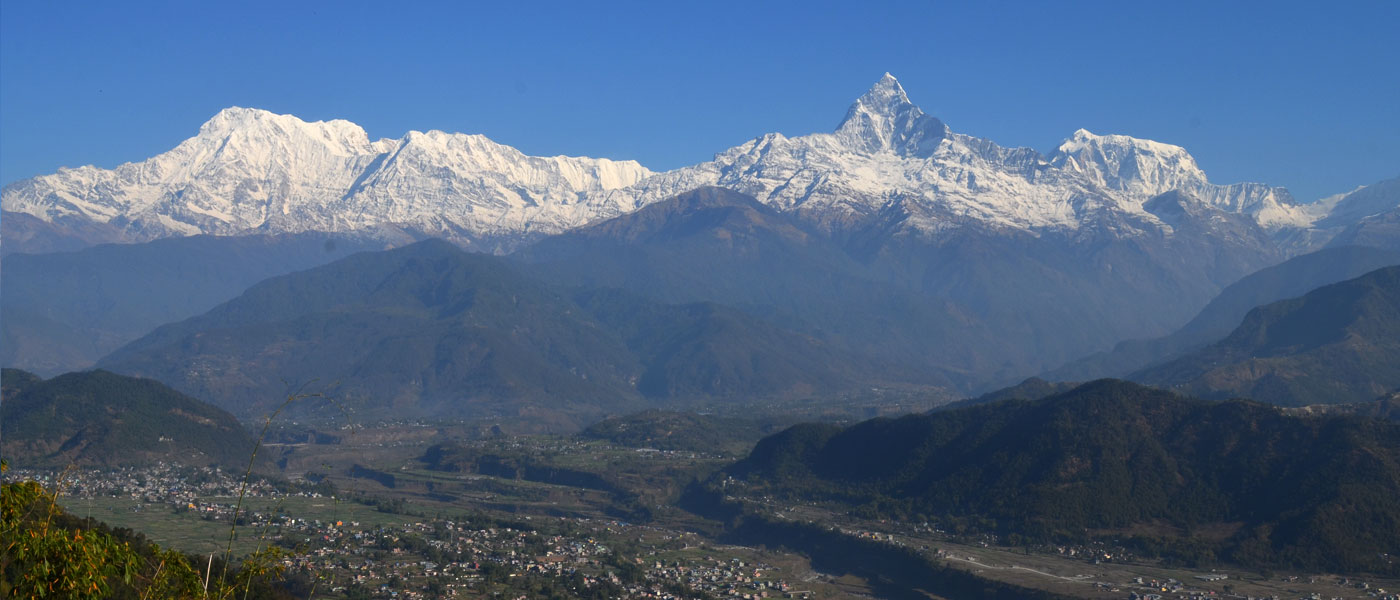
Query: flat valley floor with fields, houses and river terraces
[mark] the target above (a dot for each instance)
(381, 524)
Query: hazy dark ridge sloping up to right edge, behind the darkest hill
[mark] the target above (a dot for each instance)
(1335, 345)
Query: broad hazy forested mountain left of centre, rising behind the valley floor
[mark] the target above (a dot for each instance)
(430, 329)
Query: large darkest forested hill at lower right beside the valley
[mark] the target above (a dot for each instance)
(1234, 480)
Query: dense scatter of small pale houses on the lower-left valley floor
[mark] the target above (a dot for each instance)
(433, 559)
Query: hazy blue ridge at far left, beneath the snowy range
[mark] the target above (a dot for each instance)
(66, 310)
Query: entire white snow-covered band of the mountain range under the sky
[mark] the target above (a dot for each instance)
(251, 170)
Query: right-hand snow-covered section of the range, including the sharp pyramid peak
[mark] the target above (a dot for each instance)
(888, 157)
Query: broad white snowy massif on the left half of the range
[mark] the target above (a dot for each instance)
(250, 170)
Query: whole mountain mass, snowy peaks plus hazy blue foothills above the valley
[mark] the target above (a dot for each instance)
(891, 254)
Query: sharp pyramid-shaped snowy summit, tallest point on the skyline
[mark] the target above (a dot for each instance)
(884, 120)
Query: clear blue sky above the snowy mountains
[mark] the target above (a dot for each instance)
(1298, 94)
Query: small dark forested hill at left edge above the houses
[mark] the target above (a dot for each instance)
(101, 419)
